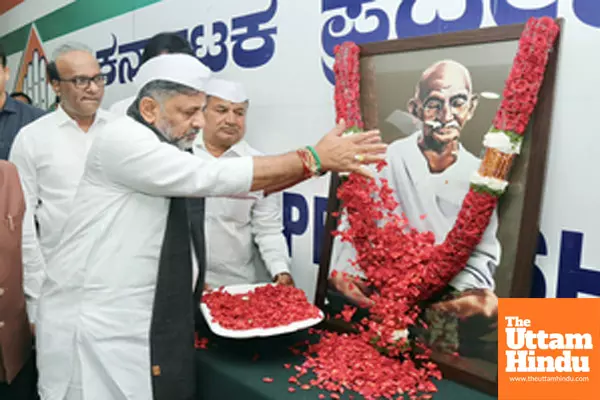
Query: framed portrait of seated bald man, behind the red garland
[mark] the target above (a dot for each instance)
(435, 94)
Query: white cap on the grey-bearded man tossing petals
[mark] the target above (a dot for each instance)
(178, 68)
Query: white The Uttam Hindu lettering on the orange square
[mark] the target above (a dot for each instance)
(525, 345)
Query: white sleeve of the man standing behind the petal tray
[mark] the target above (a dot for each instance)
(267, 230)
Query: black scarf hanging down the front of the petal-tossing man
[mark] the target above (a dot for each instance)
(172, 350)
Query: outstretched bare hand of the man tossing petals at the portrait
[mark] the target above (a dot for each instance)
(352, 152)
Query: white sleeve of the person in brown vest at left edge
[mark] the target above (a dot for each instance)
(34, 265)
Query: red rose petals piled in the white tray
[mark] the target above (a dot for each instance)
(266, 306)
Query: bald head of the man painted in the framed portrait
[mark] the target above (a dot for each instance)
(444, 101)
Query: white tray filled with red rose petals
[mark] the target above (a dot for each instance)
(258, 310)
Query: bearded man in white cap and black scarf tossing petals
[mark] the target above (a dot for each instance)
(116, 315)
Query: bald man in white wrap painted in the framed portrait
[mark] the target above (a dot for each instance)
(429, 172)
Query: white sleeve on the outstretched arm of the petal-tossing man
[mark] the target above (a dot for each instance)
(143, 163)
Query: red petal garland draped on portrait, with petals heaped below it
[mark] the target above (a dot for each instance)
(403, 264)
